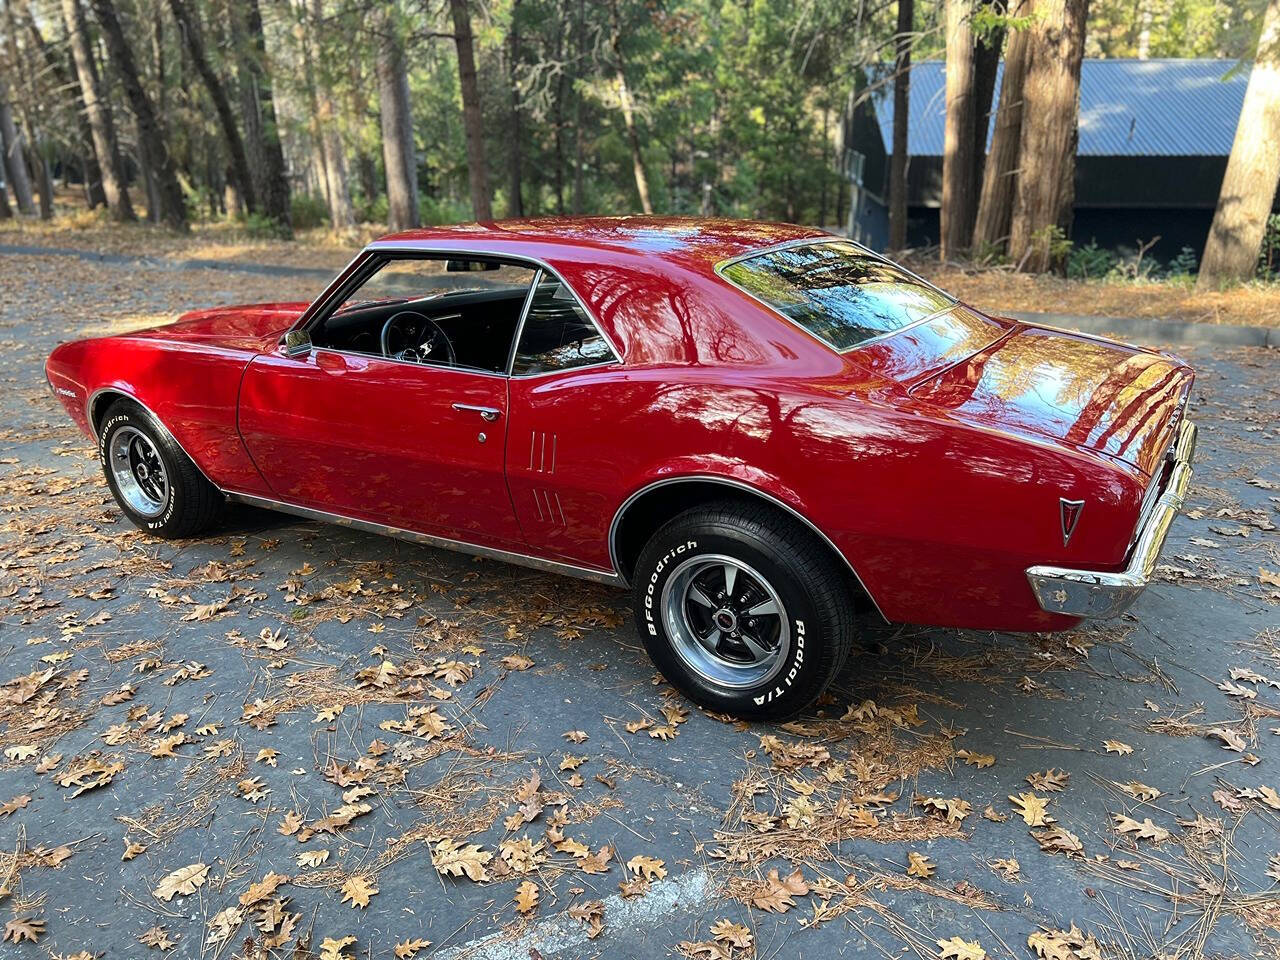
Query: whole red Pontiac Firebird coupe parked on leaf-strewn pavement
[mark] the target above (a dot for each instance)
(760, 428)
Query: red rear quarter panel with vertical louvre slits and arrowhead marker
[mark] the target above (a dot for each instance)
(940, 519)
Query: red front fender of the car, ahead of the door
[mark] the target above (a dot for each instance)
(191, 387)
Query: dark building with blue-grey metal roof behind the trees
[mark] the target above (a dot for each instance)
(1154, 141)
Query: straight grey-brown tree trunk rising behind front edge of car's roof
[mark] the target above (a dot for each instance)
(397, 120)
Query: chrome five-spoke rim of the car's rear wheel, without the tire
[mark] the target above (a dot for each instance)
(726, 621)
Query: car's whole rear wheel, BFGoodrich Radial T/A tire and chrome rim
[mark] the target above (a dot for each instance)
(743, 610)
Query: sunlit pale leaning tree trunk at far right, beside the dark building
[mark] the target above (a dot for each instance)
(1252, 172)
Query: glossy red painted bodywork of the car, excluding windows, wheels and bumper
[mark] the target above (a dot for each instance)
(934, 460)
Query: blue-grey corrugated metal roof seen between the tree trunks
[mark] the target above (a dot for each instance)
(1128, 108)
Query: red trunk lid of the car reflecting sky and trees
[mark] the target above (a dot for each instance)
(1085, 392)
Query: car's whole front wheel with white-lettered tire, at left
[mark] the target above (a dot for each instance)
(156, 483)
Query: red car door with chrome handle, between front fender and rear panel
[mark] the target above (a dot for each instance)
(406, 444)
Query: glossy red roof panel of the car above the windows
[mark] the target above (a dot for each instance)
(692, 243)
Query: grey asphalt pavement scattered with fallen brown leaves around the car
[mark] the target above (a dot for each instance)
(305, 734)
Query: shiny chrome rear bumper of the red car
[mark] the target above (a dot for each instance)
(1087, 593)
